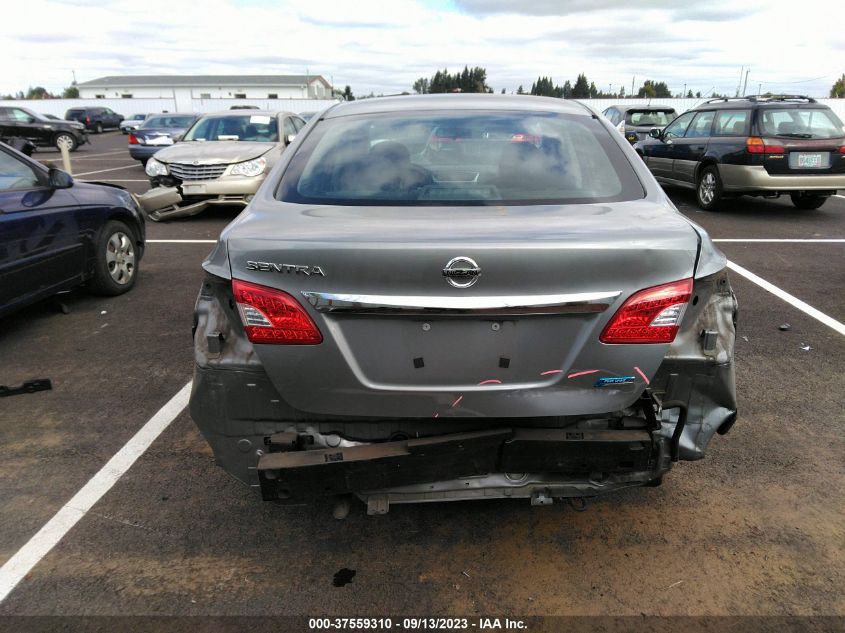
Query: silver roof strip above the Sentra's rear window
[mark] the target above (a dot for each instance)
(469, 102)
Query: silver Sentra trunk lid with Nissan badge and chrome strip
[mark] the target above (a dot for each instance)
(401, 341)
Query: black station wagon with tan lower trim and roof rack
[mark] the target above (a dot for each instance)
(759, 146)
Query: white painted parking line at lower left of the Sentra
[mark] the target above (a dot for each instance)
(19, 565)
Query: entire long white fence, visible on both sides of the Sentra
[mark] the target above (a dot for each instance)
(126, 107)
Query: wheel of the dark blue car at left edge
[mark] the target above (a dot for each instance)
(116, 265)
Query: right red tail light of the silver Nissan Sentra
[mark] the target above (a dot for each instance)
(652, 315)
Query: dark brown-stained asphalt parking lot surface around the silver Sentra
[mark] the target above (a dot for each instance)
(757, 528)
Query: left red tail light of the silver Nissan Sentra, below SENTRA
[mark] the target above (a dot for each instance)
(272, 316)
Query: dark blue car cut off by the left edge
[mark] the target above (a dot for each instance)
(57, 233)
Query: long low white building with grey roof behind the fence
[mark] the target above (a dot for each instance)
(183, 88)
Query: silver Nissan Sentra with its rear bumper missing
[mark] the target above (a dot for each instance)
(452, 297)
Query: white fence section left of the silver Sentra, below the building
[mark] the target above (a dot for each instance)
(58, 107)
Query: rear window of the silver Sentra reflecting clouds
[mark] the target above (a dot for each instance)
(459, 158)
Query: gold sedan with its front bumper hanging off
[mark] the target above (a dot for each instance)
(221, 160)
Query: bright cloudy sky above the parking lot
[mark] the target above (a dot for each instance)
(382, 46)
